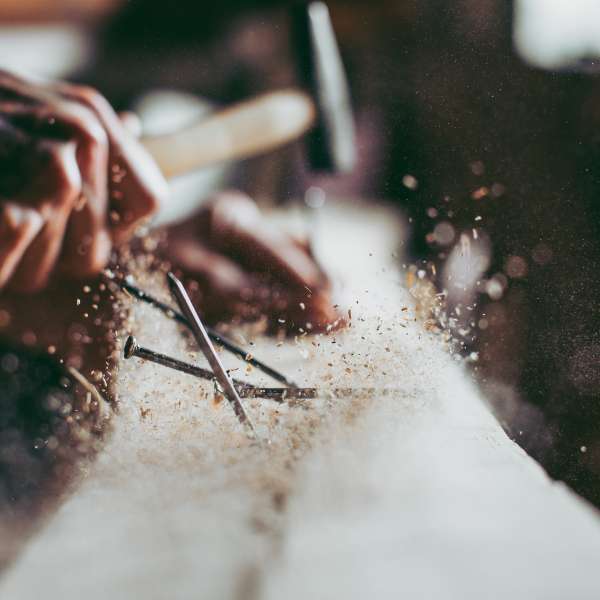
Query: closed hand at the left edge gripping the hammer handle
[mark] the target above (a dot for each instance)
(73, 182)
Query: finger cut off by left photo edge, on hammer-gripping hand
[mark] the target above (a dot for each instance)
(18, 227)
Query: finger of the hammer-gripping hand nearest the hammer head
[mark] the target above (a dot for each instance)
(137, 186)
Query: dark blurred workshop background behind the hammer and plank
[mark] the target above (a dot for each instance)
(478, 119)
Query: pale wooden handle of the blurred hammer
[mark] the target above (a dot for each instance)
(241, 131)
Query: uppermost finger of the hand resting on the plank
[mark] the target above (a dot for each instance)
(234, 226)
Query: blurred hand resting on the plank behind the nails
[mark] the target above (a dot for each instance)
(240, 265)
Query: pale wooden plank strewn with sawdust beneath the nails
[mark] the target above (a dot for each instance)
(416, 492)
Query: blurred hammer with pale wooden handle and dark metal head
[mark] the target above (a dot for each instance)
(269, 121)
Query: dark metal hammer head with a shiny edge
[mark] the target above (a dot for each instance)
(331, 143)
